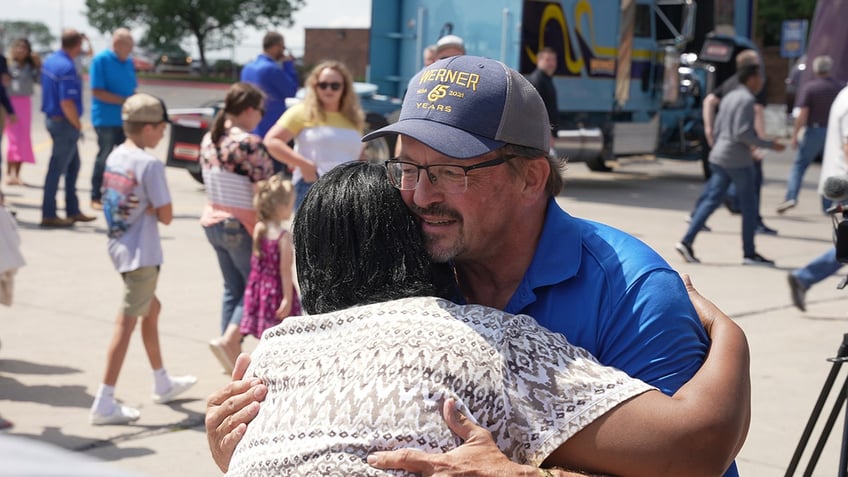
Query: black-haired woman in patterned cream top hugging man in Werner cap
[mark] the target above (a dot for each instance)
(375, 371)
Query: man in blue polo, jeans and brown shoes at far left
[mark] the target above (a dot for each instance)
(61, 102)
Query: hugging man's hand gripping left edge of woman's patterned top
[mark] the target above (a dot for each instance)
(228, 411)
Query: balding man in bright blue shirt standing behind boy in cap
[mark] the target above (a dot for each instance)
(112, 77)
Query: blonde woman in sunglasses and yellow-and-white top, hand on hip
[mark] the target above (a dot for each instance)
(326, 127)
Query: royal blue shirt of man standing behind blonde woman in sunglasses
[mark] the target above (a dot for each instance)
(277, 82)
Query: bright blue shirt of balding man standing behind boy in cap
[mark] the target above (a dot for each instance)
(109, 73)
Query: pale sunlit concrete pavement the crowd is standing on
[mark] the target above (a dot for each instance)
(54, 336)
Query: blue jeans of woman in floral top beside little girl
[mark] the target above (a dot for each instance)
(232, 244)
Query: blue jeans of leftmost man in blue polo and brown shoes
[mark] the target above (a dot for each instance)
(64, 160)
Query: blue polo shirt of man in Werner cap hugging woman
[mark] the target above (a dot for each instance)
(611, 294)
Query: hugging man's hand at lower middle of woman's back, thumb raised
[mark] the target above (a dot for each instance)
(477, 456)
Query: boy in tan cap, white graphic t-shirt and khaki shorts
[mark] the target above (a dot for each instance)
(135, 199)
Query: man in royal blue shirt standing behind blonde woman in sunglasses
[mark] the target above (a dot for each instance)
(277, 81)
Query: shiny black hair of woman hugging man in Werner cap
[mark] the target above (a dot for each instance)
(357, 243)
